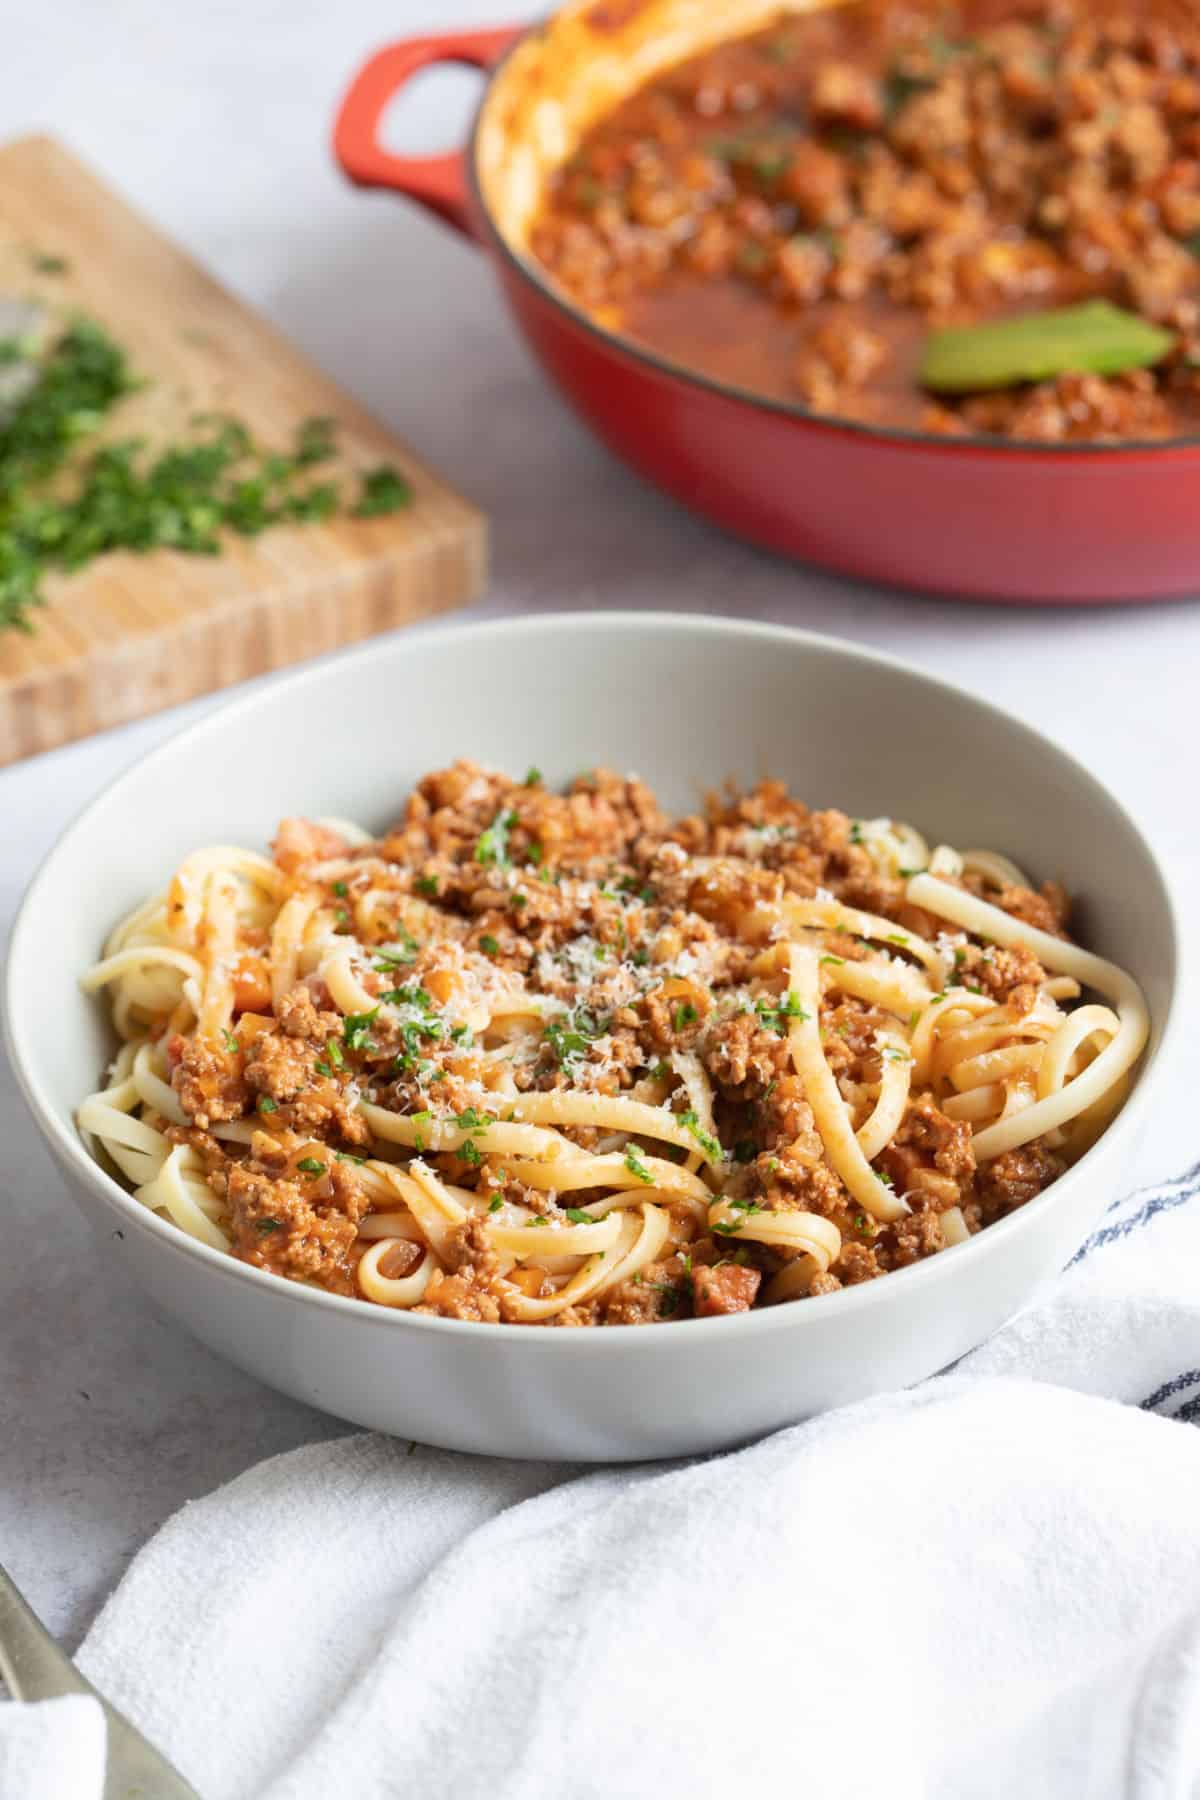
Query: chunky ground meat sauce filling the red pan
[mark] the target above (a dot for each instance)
(794, 211)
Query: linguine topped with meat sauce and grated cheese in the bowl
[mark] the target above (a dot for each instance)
(550, 1059)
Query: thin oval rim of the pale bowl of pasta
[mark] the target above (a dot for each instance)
(73, 1155)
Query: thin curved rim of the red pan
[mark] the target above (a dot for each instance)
(793, 409)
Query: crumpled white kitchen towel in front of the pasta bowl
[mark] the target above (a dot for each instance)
(987, 1587)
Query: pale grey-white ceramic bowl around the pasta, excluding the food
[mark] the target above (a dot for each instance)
(685, 703)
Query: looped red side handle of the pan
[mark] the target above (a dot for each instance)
(436, 183)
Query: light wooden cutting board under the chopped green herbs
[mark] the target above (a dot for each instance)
(132, 634)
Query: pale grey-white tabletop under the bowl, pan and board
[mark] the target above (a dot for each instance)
(215, 120)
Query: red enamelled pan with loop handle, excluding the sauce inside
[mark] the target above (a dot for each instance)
(969, 517)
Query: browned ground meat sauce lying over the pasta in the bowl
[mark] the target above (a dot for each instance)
(631, 931)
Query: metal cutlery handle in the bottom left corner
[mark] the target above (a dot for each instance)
(35, 1668)
